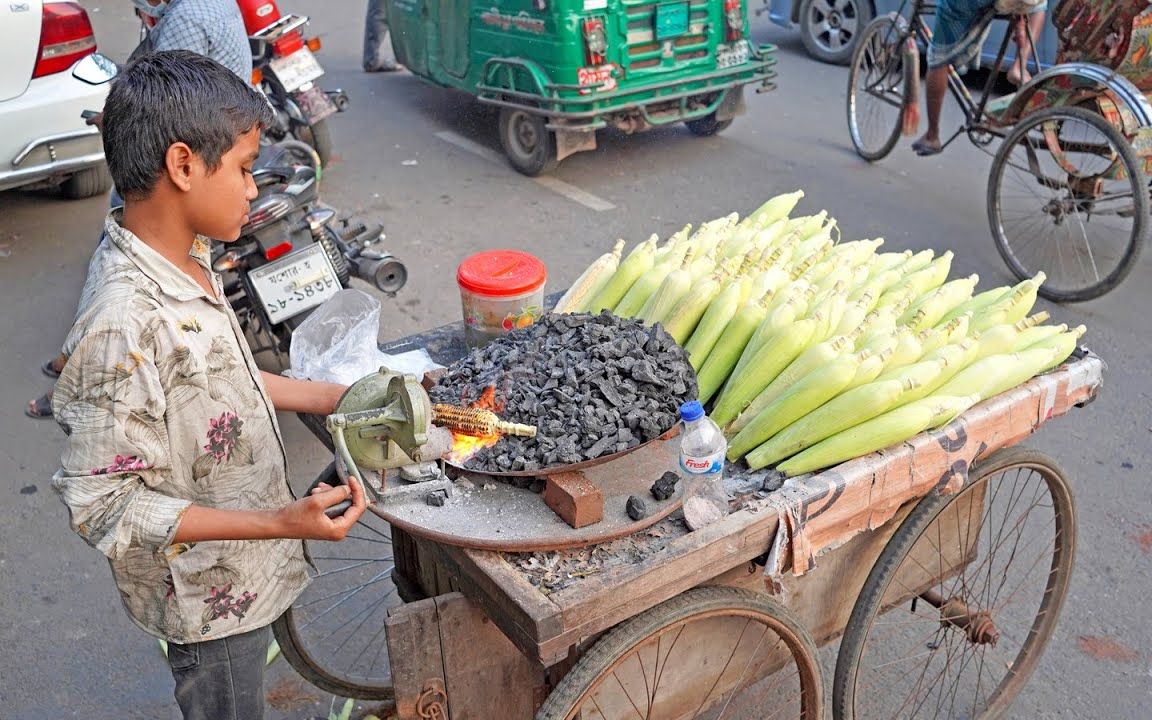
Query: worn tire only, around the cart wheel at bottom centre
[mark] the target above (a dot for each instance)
(702, 604)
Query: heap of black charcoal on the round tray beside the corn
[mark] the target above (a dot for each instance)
(594, 385)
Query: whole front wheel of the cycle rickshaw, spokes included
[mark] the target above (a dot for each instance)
(877, 88)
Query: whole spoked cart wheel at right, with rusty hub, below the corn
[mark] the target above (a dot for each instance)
(958, 610)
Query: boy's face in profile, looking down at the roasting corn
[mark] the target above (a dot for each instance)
(219, 201)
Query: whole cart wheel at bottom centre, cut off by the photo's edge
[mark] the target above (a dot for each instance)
(711, 653)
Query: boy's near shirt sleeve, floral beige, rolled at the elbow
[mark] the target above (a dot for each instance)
(111, 405)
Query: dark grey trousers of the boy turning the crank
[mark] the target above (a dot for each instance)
(224, 679)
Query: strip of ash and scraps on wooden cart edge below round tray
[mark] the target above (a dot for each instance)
(554, 571)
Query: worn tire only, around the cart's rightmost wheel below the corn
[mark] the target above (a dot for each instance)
(901, 547)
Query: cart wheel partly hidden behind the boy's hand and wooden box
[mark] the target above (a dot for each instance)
(334, 635)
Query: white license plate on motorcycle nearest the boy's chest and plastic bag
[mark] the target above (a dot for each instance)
(295, 283)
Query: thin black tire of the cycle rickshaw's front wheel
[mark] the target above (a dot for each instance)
(878, 40)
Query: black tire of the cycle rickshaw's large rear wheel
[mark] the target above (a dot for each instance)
(1056, 289)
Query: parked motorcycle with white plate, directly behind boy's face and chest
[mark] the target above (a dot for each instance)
(295, 253)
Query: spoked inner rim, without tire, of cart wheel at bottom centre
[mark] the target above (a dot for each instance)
(722, 664)
